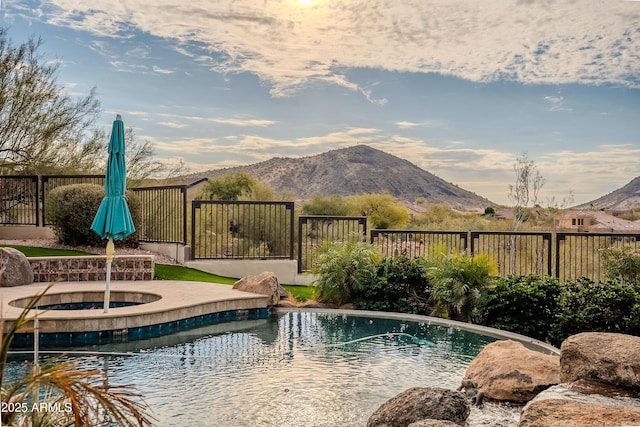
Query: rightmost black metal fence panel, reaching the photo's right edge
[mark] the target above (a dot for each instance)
(580, 254)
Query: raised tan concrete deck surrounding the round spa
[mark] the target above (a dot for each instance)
(170, 301)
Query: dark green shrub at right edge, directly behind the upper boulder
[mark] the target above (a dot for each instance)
(598, 307)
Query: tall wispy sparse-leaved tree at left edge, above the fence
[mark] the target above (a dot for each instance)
(42, 129)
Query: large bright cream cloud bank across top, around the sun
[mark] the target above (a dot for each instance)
(288, 46)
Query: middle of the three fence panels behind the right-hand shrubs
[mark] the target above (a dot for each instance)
(515, 253)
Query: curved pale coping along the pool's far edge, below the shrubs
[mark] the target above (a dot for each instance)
(528, 342)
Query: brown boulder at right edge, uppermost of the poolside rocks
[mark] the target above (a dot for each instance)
(603, 357)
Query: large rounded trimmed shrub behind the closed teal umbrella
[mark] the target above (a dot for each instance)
(71, 209)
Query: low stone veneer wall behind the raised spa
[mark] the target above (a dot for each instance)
(91, 268)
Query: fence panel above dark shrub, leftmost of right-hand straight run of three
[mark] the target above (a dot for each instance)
(418, 243)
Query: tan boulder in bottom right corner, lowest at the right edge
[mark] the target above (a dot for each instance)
(576, 405)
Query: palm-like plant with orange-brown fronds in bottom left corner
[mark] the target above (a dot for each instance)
(77, 396)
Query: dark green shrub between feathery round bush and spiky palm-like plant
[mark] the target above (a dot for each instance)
(401, 286)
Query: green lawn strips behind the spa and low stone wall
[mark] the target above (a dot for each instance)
(166, 272)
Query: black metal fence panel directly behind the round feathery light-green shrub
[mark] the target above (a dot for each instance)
(316, 230)
